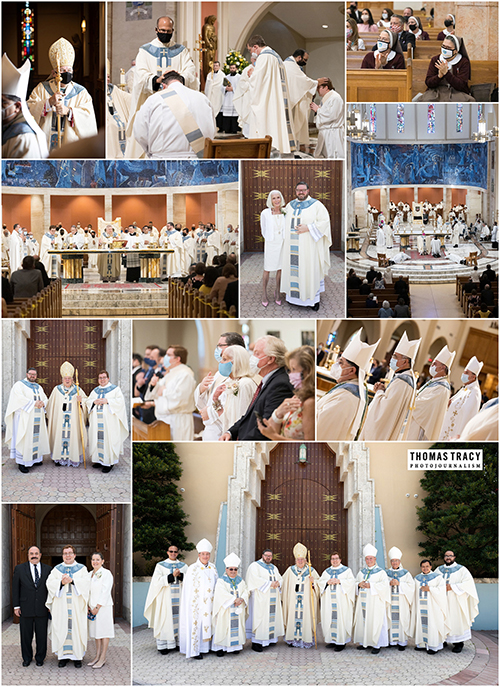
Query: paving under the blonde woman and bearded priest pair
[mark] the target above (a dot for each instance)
(332, 300)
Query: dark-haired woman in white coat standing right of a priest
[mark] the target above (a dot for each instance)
(101, 627)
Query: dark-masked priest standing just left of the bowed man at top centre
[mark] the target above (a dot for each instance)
(301, 90)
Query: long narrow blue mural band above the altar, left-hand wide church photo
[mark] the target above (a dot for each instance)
(117, 173)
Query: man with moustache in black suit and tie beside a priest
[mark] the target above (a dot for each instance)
(29, 593)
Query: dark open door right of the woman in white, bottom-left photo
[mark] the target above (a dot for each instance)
(109, 543)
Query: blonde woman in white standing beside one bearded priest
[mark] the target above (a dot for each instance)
(272, 228)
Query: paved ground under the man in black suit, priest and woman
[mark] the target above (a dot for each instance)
(116, 671)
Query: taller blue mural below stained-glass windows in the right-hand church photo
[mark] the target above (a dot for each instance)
(457, 164)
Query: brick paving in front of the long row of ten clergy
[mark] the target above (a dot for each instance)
(282, 665)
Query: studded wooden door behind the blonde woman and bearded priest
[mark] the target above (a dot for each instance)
(260, 177)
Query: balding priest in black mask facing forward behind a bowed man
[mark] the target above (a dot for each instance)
(154, 60)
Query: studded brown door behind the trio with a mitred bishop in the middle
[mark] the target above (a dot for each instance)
(80, 342)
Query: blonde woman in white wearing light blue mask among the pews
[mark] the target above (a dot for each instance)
(232, 398)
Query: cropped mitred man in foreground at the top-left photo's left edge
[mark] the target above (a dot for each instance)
(22, 138)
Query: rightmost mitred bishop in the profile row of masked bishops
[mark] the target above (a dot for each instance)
(465, 404)
